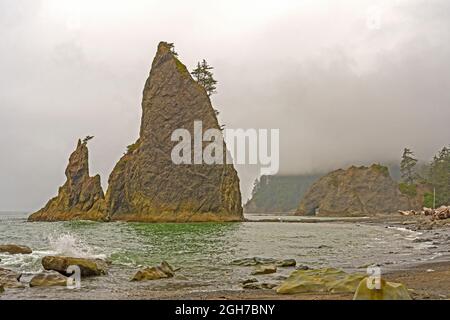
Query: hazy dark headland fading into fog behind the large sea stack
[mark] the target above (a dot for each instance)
(280, 193)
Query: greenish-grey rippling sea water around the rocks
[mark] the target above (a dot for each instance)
(202, 251)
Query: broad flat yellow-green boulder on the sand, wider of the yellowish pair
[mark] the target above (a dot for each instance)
(326, 280)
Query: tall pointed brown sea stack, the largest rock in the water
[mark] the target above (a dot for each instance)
(146, 185)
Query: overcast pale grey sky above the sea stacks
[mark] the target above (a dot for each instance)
(341, 89)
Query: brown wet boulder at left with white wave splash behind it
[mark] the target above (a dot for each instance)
(88, 267)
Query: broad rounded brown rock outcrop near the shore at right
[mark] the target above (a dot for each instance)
(356, 191)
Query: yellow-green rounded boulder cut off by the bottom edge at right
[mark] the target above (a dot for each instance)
(387, 291)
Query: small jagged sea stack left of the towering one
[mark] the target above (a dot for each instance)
(79, 194)
